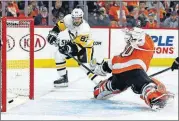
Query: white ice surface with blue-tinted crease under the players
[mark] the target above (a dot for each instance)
(75, 101)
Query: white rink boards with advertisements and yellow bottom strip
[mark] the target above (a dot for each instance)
(108, 42)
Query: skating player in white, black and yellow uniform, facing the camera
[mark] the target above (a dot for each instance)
(80, 45)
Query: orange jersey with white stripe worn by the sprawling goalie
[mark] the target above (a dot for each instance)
(134, 58)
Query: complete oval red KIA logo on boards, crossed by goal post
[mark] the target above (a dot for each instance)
(39, 42)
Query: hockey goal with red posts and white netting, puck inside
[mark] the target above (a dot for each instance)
(17, 60)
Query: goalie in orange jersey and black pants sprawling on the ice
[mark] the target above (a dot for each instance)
(129, 70)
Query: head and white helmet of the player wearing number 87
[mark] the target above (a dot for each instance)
(77, 16)
